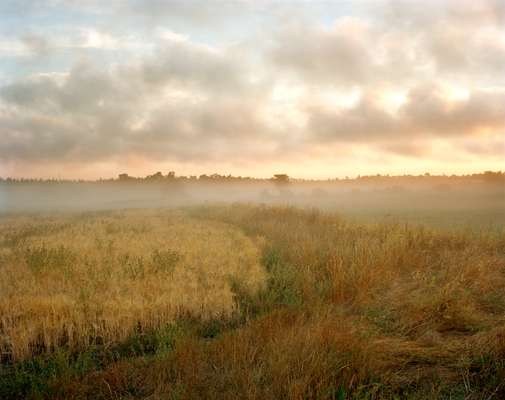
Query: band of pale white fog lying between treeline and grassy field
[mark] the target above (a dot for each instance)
(478, 199)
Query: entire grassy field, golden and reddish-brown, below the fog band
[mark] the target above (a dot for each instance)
(249, 302)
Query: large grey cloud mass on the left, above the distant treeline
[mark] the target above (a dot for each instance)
(186, 101)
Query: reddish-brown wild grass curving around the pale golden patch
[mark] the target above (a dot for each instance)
(347, 310)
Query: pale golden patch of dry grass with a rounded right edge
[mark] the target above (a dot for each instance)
(73, 281)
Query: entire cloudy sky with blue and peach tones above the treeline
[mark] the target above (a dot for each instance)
(314, 89)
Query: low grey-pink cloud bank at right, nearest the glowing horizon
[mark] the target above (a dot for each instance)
(425, 113)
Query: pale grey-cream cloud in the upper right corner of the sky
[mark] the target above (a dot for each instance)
(412, 46)
